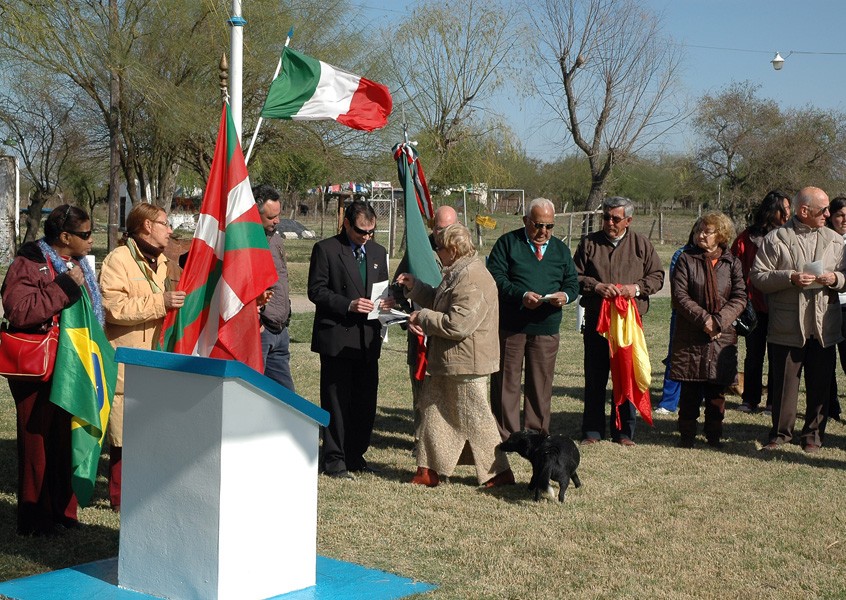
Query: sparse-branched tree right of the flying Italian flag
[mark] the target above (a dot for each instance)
(447, 60)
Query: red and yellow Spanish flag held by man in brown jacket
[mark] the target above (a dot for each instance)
(619, 322)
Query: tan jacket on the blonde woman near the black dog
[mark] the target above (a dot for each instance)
(461, 319)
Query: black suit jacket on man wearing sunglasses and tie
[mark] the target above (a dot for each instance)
(333, 282)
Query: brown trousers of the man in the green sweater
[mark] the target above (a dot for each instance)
(539, 353)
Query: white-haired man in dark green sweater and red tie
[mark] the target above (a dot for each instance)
(535, 276)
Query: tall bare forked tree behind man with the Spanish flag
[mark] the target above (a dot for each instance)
(609, 76)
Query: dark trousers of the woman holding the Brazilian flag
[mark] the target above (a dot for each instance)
(45, 496)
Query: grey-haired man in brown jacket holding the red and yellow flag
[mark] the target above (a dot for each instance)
(612, 262)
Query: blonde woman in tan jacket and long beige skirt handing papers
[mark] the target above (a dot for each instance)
(461, 318)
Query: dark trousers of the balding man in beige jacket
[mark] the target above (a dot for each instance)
(786, 364)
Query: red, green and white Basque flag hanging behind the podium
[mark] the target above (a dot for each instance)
(229, 265)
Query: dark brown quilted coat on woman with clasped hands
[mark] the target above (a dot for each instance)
(696, 357)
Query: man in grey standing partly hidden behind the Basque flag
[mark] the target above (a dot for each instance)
(275, 314)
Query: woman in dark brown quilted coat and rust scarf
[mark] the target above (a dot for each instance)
(709, 293)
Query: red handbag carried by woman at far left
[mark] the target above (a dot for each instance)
(28, 356)
